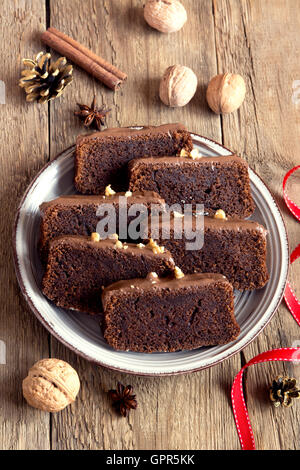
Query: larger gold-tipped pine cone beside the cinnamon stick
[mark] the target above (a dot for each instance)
(44, 81)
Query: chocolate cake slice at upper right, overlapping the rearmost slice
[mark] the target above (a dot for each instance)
(216, 182)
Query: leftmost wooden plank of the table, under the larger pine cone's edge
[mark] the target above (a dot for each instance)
(24, 149)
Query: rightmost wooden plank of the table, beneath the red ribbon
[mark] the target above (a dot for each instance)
(260, 40)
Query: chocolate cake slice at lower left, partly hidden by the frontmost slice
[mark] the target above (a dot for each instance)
(78, 268)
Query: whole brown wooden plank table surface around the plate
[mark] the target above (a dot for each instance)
(260, 40)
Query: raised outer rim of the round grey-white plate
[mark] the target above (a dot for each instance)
(98, 362)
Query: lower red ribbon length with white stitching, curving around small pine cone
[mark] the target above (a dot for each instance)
(240, 412)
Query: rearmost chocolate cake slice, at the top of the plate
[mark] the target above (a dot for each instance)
(101, 158)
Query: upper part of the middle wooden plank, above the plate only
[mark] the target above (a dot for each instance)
(118, 32)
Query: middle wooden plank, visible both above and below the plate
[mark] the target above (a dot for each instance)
(191, 411)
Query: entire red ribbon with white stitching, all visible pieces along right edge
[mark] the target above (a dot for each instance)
(281, 354)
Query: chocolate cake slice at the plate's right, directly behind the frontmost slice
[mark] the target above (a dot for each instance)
(235, 248)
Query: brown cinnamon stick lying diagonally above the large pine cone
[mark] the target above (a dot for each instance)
(84, 58)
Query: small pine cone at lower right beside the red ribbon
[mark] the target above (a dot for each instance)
(283, 390)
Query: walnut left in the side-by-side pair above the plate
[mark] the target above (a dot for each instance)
(178, 86)
